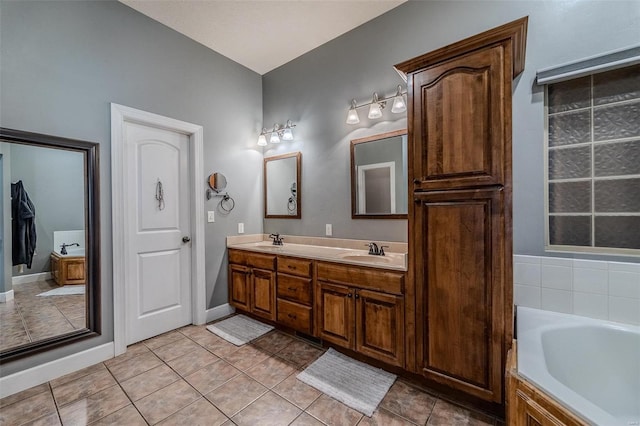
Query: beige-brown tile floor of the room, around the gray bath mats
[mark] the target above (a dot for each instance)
(192, 377)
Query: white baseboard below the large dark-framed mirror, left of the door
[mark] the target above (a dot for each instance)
(26, 379)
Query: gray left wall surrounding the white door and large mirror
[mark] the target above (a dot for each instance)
(64, 62)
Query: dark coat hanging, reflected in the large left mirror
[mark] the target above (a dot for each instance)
(23, 222)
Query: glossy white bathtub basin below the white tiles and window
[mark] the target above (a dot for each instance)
(592, 367)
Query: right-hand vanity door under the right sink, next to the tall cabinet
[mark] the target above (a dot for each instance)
(380, 326)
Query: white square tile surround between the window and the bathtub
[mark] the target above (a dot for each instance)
(594, 289)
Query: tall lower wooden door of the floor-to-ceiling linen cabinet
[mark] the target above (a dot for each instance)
(460, 275)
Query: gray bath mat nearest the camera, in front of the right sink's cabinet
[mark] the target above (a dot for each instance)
(356, 384)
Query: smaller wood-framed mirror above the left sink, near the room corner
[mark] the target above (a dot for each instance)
(282, 183)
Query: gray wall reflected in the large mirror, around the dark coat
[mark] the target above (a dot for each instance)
(54, 181)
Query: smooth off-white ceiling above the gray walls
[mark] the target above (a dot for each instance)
(262, 34)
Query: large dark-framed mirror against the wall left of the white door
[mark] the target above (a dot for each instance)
(50, 244)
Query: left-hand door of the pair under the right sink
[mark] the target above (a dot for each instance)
(336, 320)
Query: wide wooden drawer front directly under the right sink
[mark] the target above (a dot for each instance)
(374, 279)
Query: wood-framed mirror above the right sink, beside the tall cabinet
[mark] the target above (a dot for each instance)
(379, 176)
